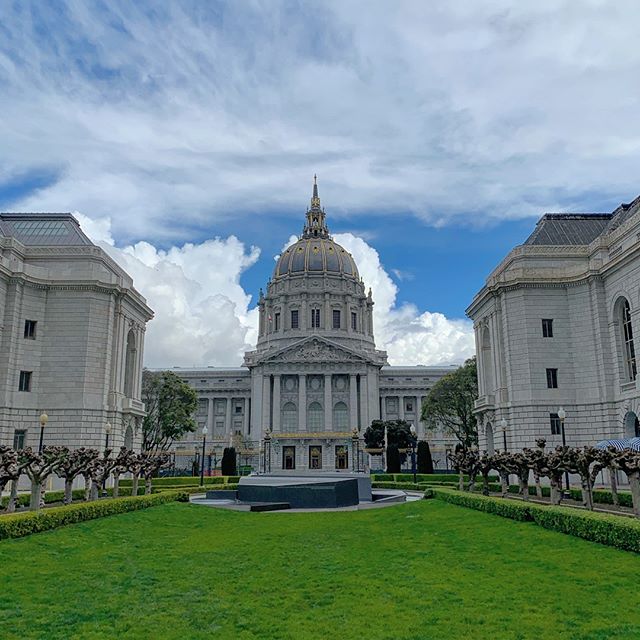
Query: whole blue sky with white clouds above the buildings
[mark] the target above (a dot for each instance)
(439, 131)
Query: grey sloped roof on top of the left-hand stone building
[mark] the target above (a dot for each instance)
(40, 229)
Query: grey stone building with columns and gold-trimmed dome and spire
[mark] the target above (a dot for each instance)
(315, 374)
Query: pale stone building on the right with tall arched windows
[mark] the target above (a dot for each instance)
(555, 326)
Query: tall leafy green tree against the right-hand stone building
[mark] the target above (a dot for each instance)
(450, 404)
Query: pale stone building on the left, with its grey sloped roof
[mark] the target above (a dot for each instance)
(71, 336)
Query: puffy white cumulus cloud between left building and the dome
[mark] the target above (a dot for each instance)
(202, 314)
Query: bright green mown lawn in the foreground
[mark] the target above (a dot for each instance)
(416, 571)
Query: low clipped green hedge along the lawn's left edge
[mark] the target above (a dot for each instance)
(23, 524)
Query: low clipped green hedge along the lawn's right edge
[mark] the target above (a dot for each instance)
(614, 531)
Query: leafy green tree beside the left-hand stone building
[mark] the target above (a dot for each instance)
(170, 404)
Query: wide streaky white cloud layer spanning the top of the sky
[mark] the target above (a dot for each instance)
(167, 119)
